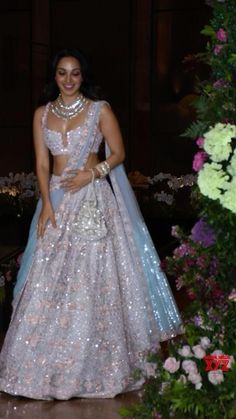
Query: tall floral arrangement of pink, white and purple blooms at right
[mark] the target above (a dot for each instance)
(178, 382)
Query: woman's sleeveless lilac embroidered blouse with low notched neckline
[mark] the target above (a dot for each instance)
(74, 137)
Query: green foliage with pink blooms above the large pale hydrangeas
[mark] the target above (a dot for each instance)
(217, 99)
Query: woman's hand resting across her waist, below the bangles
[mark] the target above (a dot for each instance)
(78, 180)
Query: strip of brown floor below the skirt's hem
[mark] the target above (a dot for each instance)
(19, 407)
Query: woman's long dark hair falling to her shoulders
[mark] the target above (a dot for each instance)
(88, 87)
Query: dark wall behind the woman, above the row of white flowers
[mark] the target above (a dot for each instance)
(136, 48)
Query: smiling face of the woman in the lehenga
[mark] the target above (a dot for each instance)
(68, 76)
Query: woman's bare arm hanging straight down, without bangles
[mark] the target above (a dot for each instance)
(42, 170)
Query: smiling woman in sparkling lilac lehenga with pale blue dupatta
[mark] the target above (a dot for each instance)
(90, 298)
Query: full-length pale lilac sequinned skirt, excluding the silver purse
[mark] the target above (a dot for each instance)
(83, 321)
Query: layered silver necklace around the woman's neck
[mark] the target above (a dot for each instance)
(68, 111)
